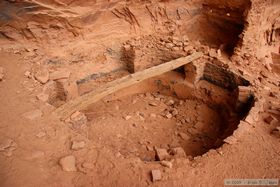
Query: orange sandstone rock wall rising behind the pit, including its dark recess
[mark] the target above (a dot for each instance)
(249, 25)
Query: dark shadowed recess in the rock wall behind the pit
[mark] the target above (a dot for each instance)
(225, 24)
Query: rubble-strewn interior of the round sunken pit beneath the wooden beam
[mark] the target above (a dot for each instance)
(168, 112)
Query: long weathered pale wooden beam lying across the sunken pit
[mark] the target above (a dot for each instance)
(84, 101)
